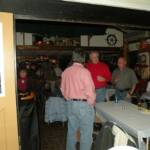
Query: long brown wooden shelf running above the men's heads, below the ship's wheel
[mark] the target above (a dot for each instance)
(59, 50)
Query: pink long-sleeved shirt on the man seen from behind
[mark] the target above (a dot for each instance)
(77, 83)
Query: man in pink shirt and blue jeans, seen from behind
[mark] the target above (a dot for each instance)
(78, 89)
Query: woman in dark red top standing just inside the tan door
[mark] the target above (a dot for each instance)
(27, 113)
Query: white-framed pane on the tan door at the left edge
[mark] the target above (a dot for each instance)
(2, 84)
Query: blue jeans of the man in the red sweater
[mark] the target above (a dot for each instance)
(100, 95)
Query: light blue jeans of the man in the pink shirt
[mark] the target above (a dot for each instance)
(80, 116)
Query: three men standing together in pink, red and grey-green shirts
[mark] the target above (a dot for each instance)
(83, 85)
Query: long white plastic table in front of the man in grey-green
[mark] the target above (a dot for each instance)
(127, 116)
